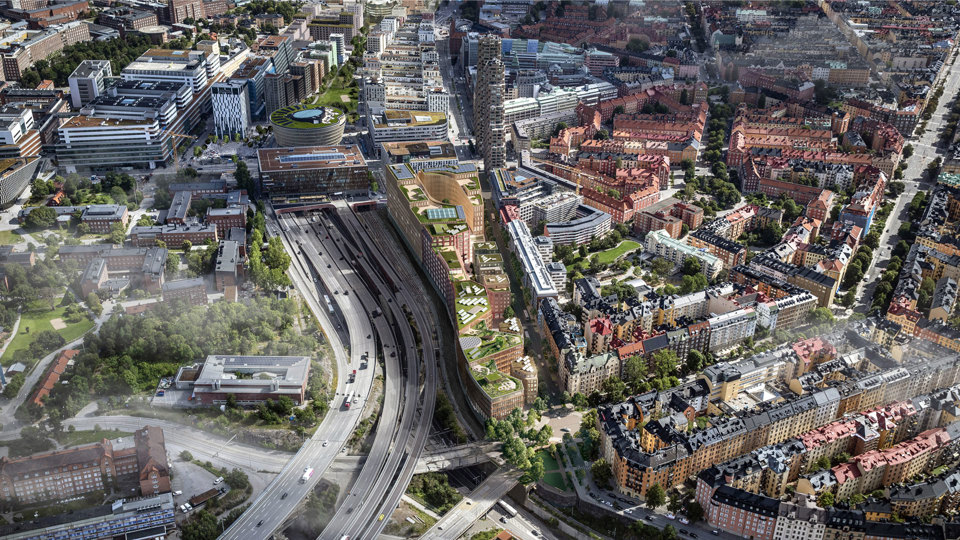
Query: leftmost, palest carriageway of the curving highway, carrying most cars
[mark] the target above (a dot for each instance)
(280, 499)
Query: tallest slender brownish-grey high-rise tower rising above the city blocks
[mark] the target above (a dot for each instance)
(488, 103)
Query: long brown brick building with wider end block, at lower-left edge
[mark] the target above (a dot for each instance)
(83, 469)
